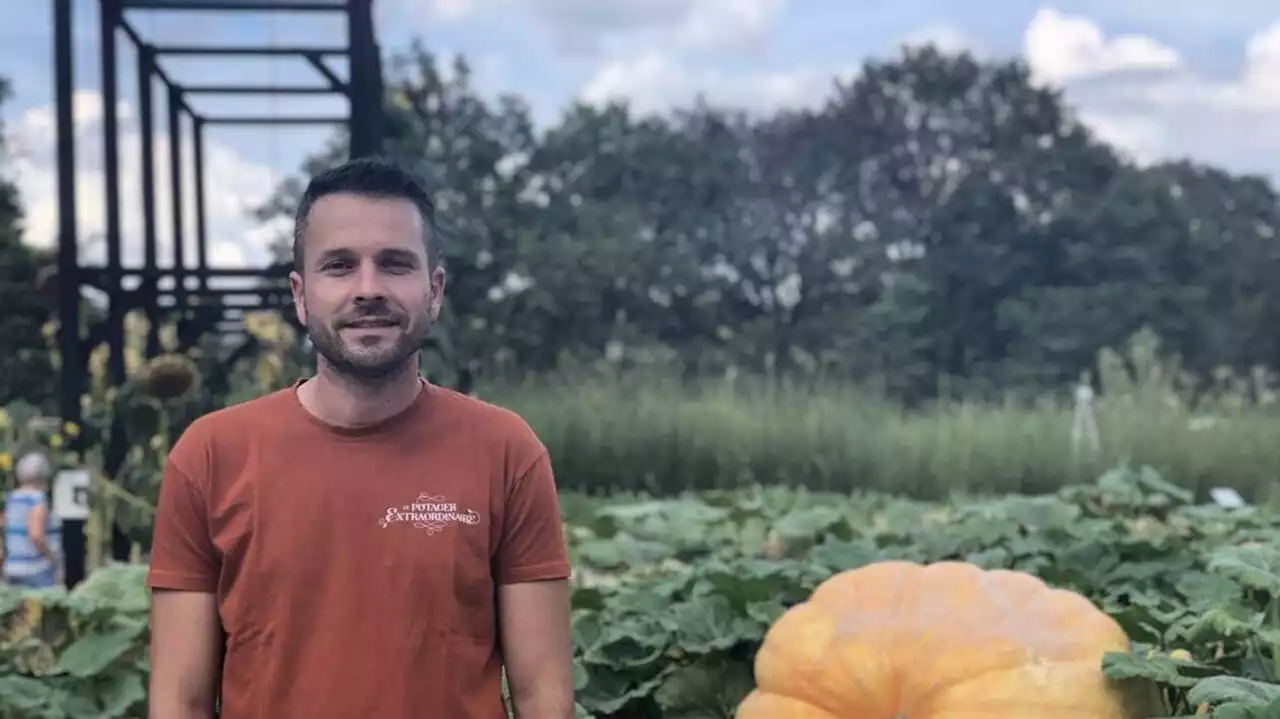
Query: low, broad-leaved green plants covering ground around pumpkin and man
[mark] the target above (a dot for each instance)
(673, 597)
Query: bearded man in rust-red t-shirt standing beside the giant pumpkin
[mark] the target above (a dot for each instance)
(364, 543)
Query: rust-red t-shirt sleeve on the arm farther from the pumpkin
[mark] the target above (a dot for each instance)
(184, 556)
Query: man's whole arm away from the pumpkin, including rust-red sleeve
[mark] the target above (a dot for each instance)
(186, 631)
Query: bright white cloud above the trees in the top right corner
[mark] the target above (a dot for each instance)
(1144, 97)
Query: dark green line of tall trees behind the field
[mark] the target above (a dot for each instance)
(938, 222)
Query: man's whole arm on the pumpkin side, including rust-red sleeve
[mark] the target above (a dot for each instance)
(534, 599)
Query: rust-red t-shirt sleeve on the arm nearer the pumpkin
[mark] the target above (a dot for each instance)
(533, 535)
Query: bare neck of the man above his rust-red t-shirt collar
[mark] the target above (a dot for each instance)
(351, 402)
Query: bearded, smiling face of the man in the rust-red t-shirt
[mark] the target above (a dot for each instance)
(368, 297)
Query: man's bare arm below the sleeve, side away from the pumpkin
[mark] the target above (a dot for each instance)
(186, 654)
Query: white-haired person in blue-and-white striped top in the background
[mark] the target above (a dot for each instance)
(33, 535)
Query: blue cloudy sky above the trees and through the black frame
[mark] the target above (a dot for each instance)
(1168, 80)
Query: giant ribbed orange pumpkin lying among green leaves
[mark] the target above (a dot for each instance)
(897, 640)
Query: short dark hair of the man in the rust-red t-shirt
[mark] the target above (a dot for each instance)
(368, 177)
